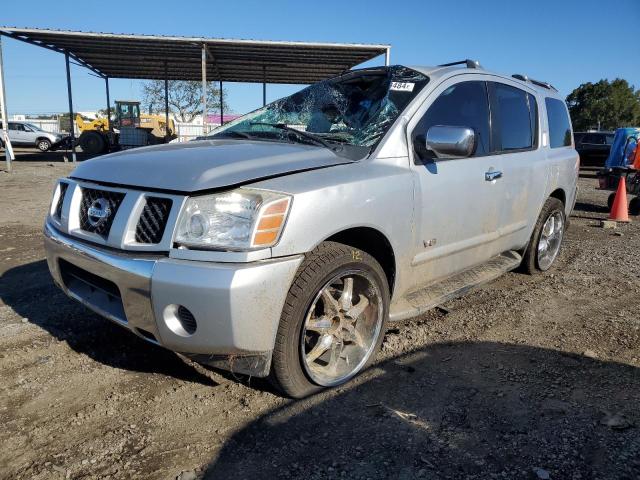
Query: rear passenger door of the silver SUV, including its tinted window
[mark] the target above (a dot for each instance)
(515, 141)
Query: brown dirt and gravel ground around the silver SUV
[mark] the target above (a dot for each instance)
(527, 377)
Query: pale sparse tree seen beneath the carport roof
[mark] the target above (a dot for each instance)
(185, 98)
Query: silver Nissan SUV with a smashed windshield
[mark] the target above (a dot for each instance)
(282, 244)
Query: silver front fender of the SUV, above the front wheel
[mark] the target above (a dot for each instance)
(370, 193)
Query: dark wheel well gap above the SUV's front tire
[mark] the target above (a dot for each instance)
(375, 243)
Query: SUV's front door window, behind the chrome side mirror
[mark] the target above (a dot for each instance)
(464, 104)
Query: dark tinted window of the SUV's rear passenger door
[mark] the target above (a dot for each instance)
(514, 116)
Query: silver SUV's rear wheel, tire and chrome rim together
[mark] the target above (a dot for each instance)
(544, 246)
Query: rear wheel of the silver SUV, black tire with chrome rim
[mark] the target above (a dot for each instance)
(531, 261)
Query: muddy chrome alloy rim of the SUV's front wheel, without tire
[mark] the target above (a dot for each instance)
(341, 328)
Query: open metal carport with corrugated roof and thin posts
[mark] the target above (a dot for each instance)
(152, 57)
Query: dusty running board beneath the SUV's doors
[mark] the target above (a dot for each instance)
(425, 298)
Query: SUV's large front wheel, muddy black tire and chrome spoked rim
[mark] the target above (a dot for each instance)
(300, 336)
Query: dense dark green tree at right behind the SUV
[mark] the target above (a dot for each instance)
(607, 105)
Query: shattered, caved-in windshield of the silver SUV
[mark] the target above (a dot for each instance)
(354, 109)
